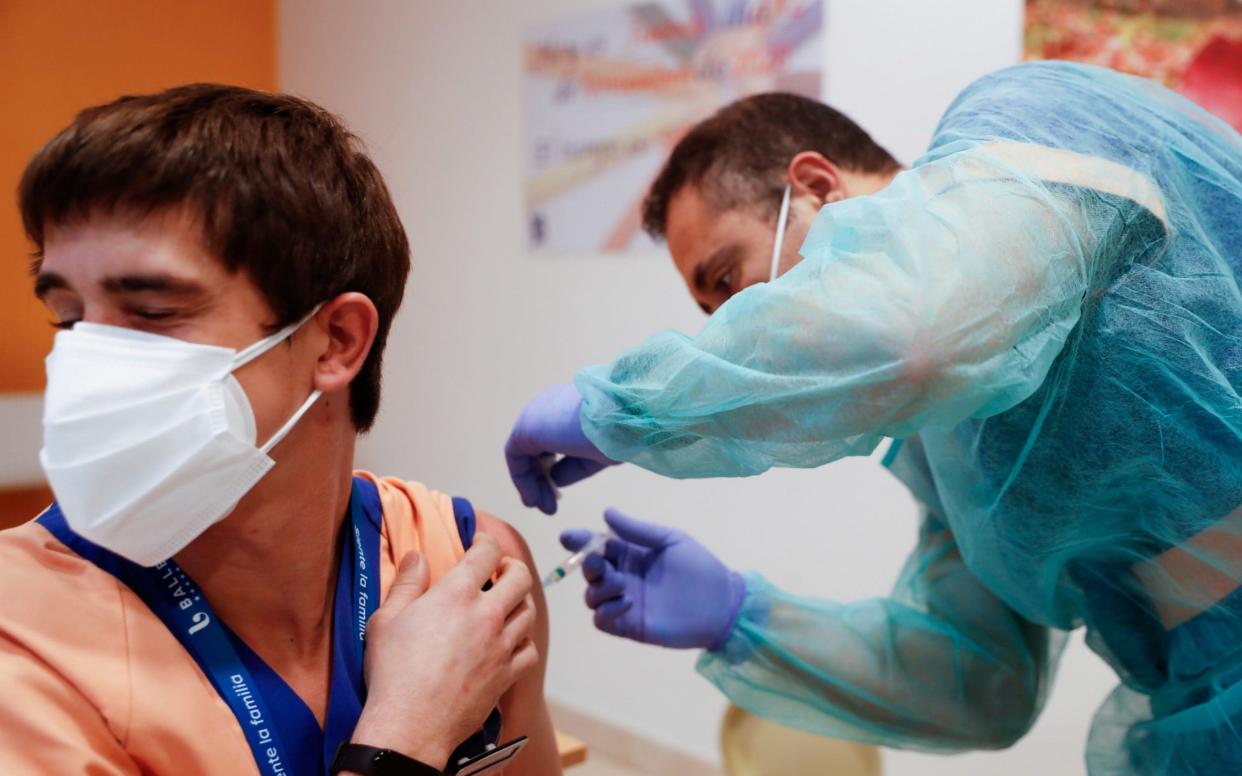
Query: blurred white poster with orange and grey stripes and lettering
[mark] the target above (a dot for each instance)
(608, 96)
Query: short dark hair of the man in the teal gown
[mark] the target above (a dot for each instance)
(738, 157)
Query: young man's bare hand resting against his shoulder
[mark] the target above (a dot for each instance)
(439, 660)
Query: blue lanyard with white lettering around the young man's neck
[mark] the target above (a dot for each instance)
(284, 734)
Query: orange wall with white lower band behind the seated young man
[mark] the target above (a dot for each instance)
(57, 59)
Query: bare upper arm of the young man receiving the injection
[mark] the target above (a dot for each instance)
(524, 707)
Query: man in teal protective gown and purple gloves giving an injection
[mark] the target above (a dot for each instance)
(1045, 314)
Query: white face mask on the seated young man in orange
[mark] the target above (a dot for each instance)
(150, 440)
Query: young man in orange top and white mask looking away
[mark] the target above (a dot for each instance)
(227, 265)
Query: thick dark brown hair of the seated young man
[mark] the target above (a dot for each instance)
(284, 191)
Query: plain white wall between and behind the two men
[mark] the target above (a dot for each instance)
(435, 89)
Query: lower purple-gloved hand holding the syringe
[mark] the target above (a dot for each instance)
(659, 587)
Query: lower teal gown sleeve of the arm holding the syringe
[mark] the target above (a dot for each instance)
(942, 665)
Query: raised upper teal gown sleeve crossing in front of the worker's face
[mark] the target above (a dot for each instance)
(946, 296)
